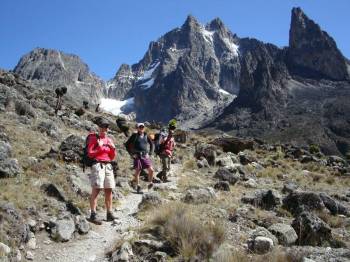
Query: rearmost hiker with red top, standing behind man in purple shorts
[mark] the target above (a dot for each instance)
(167, 144)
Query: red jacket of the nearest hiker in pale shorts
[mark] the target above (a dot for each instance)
(106, 152)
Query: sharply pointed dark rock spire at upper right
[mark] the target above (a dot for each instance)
(312, 52)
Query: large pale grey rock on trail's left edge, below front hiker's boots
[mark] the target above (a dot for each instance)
(62, 229)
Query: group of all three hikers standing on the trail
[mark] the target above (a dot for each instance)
(101, 150)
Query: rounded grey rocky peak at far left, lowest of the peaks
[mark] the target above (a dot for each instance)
(53, 69)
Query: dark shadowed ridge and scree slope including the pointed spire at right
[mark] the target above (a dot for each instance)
(292, 94)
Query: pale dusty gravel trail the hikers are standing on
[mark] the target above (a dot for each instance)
(100, 239)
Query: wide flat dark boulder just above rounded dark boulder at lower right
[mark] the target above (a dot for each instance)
(298, 201)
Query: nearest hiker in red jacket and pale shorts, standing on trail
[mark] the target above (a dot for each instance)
(101, 148)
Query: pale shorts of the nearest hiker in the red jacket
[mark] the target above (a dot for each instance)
(102, 176)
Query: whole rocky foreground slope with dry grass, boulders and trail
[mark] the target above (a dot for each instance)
(228, 199)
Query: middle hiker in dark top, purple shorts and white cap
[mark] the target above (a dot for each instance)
(137, 146)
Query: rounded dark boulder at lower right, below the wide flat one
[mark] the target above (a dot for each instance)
(311, 230)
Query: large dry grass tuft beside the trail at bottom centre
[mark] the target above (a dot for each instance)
(187, 234)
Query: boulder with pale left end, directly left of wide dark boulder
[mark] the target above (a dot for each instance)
(266, 199)
